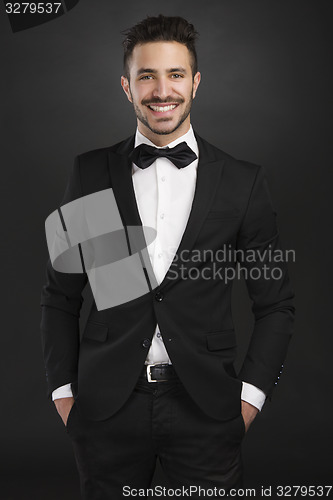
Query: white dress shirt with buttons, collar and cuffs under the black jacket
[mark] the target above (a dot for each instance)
(164, 196)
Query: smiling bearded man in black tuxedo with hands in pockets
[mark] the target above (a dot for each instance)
(154, 376)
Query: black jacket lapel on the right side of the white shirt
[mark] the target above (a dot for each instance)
(208, 176)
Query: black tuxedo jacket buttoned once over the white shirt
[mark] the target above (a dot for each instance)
(231, 209)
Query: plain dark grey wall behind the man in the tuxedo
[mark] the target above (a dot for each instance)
(265, 96)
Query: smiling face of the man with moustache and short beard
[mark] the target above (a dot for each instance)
(161, 87)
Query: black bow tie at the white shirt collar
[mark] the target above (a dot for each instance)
(181, 155)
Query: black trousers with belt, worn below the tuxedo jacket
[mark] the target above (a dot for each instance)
(159, 420)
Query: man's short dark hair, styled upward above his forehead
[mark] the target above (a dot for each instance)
(157, 29)
